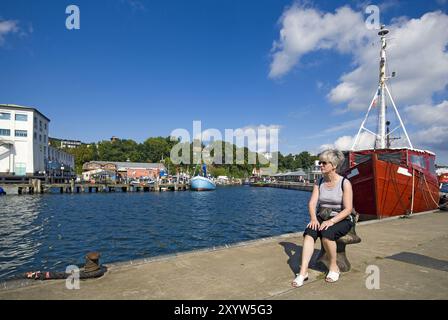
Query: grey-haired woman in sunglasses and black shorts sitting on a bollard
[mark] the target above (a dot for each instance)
(333, 196)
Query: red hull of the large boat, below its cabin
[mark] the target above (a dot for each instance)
(384, 189)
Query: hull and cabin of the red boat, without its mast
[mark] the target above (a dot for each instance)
(391, 182)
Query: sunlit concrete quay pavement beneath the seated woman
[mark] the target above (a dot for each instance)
(410, 254)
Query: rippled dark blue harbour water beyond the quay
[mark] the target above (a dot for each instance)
(50, 232)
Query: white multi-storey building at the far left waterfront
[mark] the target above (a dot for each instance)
(23, 140)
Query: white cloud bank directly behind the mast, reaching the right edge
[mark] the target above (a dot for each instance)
(416, 51)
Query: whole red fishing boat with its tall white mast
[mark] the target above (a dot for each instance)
(389, 181)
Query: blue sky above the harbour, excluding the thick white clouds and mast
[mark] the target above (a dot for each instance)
(137, 69)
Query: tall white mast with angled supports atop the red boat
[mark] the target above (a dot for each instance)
(382, 136)
